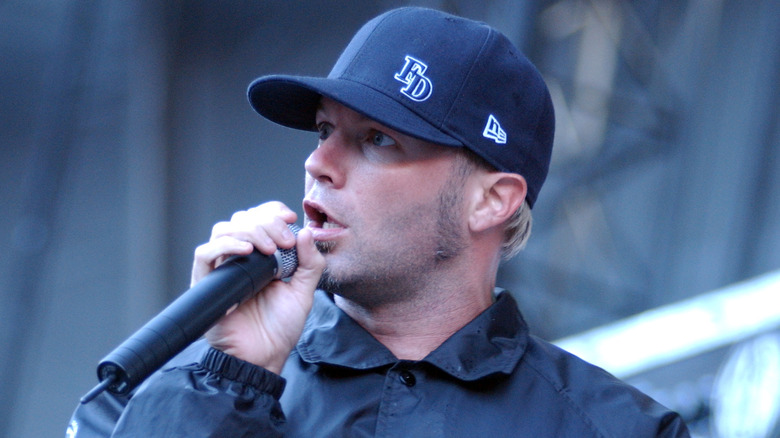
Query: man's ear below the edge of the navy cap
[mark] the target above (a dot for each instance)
(501, 194)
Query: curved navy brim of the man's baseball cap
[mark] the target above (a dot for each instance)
(292, 101)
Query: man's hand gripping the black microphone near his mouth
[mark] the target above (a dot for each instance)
(265, 328)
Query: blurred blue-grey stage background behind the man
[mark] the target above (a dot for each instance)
(126, 133)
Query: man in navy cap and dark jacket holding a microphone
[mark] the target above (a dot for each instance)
(435, 136)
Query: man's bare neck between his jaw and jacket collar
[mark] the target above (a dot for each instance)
(413, 318)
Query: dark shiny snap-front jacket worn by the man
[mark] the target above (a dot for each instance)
(489, 379)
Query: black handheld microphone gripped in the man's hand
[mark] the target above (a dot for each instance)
(188, 317)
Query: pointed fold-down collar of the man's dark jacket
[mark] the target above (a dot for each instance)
(491, 343)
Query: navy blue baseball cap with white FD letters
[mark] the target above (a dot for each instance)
(436, 77)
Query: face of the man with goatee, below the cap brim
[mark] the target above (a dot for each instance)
(385, 208)
